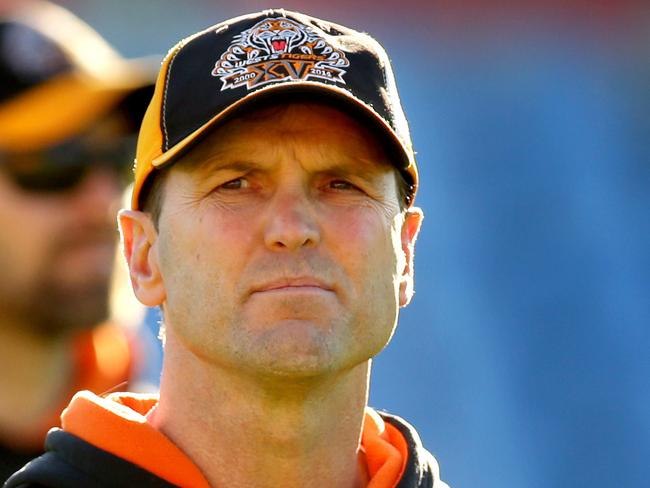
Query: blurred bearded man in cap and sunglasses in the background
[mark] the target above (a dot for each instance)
(69, 109)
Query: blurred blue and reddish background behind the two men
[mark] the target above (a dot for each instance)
(524, 359)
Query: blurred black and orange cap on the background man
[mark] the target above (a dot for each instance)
(57, 76)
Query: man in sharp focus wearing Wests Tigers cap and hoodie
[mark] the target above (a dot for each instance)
(272, 222)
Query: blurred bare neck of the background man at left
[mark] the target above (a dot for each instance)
(35, 370)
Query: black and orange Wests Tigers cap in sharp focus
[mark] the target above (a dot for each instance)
(272, 55)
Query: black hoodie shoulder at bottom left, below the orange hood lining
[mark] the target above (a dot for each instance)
(73, 462)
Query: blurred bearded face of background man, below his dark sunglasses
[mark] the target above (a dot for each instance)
(57, 246)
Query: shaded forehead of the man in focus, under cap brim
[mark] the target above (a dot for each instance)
(324, 131)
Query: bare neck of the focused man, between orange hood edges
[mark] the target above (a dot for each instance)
(243, 431)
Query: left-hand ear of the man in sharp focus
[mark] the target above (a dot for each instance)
(139, 243)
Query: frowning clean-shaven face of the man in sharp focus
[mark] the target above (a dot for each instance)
(281, 244)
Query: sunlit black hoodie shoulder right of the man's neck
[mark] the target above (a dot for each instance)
(422, 470)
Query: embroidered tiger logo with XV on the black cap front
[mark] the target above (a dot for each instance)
(279, 49)
